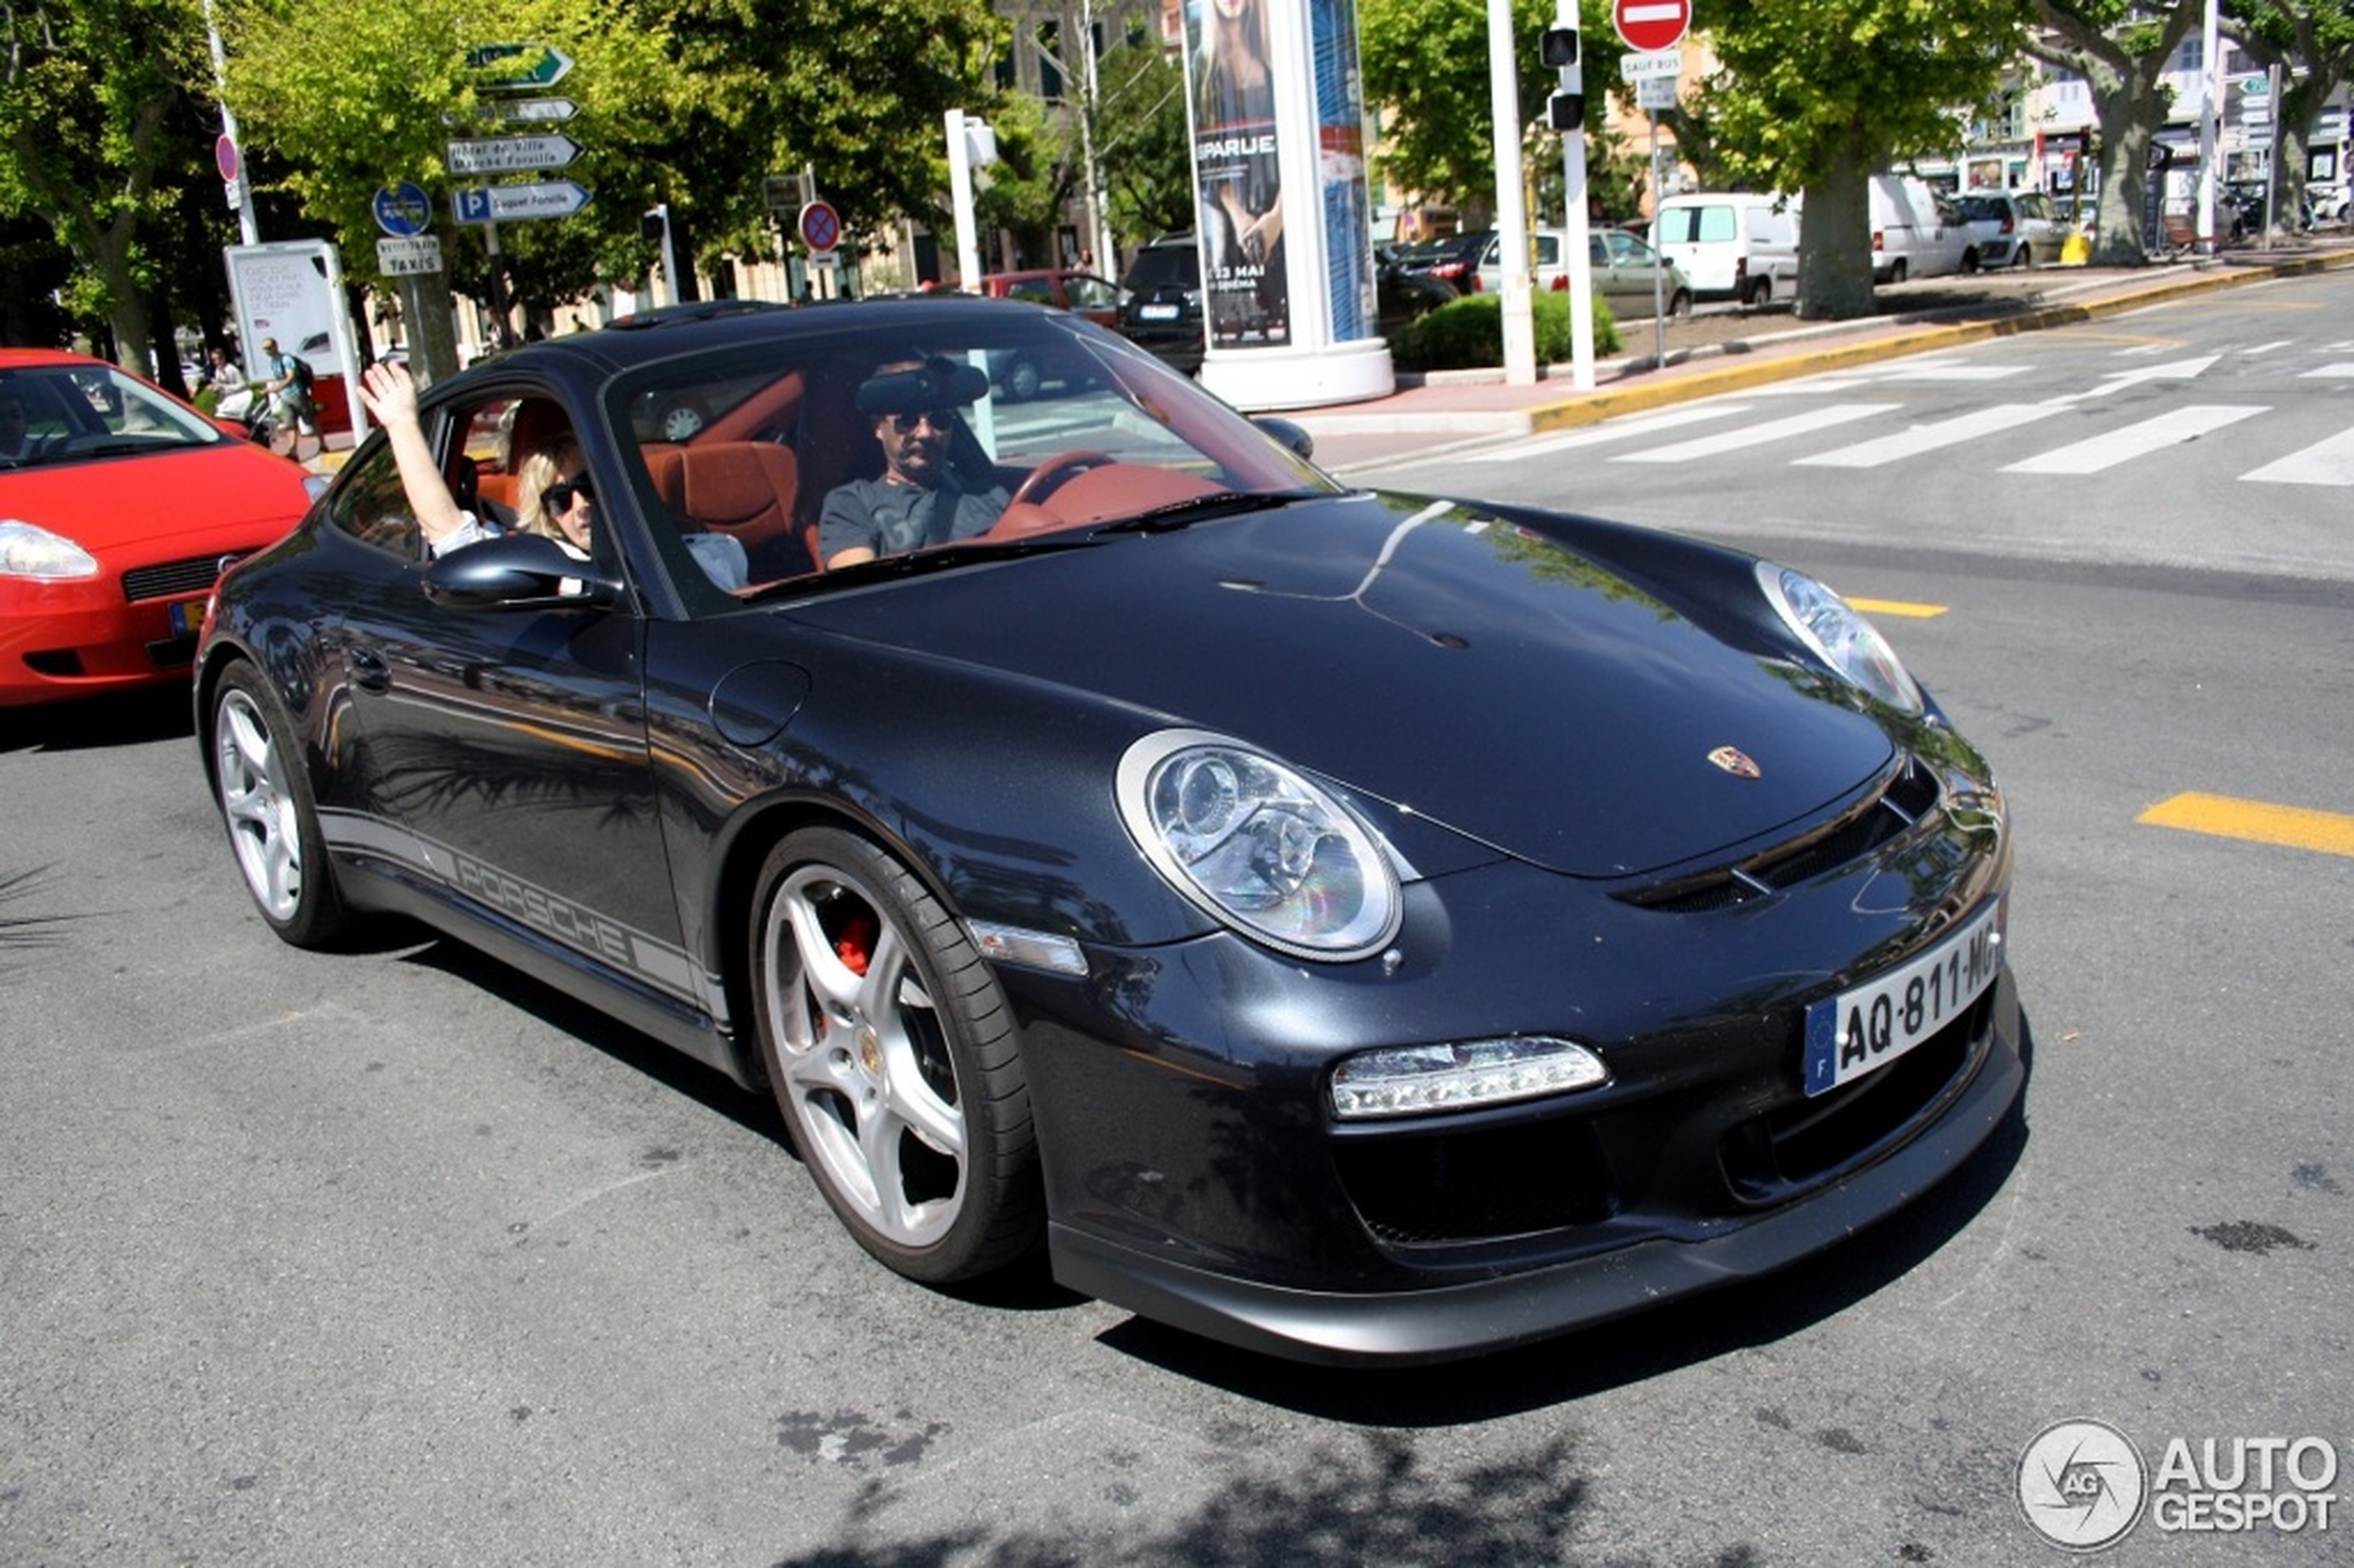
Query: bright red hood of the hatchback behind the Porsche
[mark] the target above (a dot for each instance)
(159, 500)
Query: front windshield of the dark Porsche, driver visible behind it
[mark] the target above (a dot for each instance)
(849, 456)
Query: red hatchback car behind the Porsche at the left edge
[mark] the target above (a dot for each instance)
(119, 512)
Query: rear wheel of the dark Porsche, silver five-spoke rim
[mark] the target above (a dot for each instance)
(272, 818)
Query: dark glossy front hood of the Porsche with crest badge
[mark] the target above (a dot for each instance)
(1425, 653)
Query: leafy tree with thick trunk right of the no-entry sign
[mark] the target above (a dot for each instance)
(1818, 95)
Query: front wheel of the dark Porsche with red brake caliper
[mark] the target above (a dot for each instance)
(896, 1061)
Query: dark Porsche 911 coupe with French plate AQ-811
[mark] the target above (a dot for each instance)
(1343, 924)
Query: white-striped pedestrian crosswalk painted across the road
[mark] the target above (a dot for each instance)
(2030, 437)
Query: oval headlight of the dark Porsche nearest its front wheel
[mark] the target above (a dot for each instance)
(1258, 846)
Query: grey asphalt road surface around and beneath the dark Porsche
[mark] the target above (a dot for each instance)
(399, 1258)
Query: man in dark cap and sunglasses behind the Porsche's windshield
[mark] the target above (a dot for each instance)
(919, 500)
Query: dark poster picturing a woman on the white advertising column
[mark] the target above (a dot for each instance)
(1239, 175)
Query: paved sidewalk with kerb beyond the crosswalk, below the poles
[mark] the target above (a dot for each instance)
(1753, 350)
